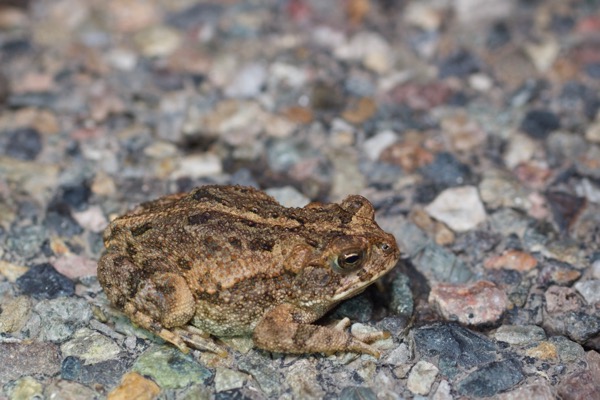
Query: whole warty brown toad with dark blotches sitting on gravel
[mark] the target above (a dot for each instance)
(231, 261)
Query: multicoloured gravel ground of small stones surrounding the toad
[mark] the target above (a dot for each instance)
(472, 126)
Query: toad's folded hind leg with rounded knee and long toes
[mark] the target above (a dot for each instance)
(164, 305)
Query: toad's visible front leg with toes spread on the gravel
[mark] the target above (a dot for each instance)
(282, 330)
